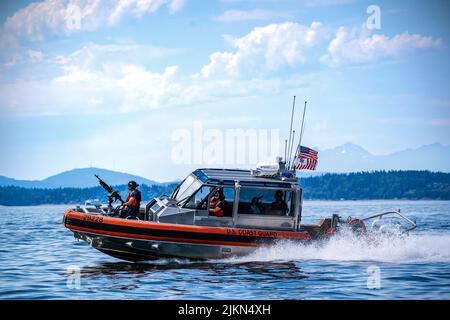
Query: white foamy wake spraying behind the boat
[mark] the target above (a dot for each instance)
(417, 248)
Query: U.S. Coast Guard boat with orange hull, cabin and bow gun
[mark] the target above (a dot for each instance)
(181, 225)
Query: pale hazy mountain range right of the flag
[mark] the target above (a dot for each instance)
(351, 158)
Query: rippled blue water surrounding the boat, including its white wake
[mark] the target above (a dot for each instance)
(39, 258)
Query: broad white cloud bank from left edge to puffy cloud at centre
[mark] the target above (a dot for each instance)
(115, 78)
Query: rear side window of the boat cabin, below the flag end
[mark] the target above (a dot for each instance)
(266, 202)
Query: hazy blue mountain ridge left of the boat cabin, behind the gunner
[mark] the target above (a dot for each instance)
(77, 178)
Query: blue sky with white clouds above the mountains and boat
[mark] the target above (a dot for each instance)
(111, 90)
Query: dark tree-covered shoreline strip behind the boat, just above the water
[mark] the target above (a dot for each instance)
(352, 186)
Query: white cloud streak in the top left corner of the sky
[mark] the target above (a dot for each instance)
(63, 17)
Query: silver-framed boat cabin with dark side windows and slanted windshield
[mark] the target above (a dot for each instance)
(248, 201)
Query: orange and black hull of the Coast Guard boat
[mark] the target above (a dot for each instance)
(142, 240)
